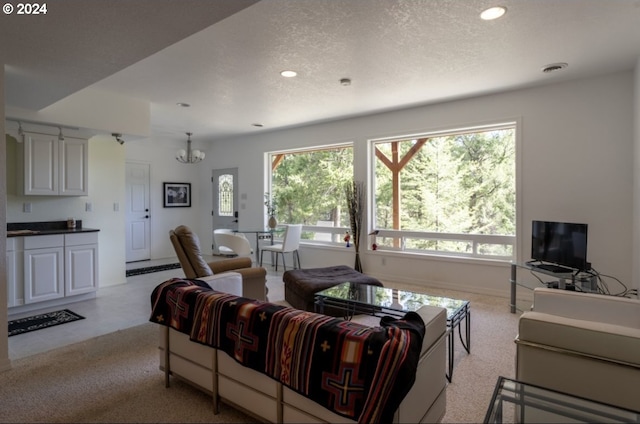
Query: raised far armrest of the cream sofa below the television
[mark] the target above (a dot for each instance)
(588, 306)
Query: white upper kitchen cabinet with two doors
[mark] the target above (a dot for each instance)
(54, 167)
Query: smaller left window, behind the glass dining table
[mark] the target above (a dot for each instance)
(307, 187)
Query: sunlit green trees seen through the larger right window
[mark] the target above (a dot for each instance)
(463, 183)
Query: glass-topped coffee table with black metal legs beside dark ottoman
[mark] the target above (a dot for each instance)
(356, 299)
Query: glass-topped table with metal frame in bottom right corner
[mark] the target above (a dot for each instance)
(517, 402)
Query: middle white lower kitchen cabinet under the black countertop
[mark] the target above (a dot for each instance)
(43, 268)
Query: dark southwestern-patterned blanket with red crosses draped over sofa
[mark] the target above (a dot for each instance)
(358, 372)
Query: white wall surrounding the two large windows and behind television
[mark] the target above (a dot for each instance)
(576, 165)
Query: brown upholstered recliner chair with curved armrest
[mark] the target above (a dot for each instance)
(187, 247)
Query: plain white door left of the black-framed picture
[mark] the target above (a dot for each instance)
(138, 214)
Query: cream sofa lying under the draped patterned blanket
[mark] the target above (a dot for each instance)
(218, 374)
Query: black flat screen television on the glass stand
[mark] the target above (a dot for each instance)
(560, 243)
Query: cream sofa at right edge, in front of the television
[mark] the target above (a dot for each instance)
(582, 344)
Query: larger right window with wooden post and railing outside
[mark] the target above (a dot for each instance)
(450, 193)
